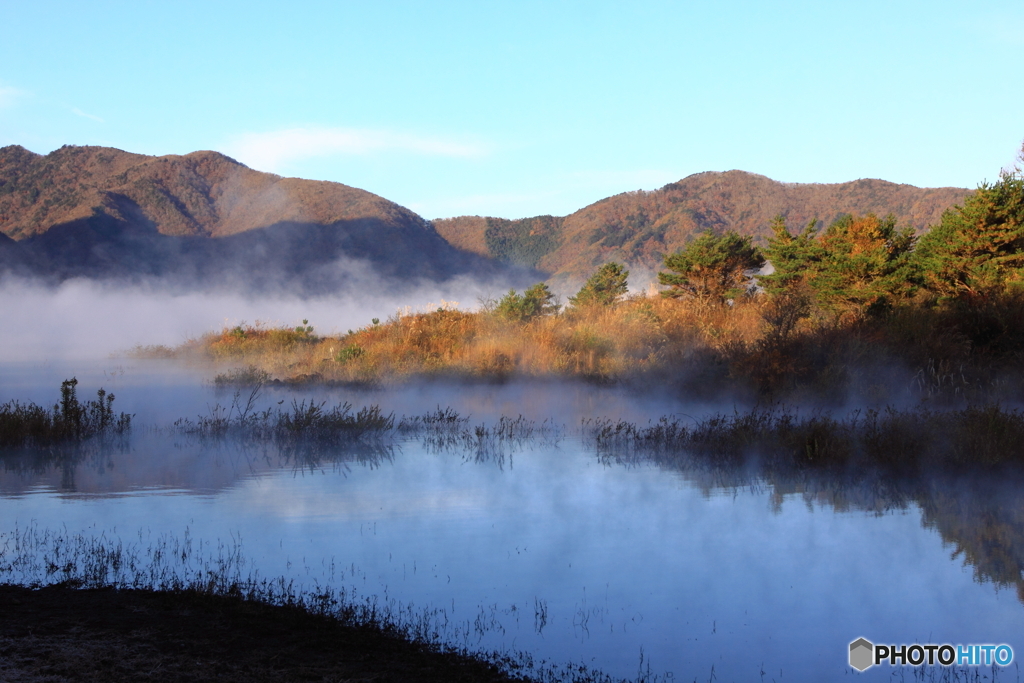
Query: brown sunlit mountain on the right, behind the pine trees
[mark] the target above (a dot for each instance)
(641, 228)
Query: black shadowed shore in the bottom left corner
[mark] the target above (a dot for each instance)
(62, 634)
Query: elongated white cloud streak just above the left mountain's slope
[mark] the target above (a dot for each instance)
(273, 151)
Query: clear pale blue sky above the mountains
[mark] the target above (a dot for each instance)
(518, 109)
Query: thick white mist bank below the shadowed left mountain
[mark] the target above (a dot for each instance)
(83, 320)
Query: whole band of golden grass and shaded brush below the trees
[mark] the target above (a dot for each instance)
(746, 348)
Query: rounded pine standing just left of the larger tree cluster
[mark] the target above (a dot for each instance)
(712, 269)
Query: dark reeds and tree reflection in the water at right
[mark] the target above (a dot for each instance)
(963, 468)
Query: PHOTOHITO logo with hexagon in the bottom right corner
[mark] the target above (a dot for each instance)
(865, 654)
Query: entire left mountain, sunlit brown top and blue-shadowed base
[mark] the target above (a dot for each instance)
(99, 212)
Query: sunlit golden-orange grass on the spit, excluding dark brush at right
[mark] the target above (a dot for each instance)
(636, 337)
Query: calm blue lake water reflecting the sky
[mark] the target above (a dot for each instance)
(544, 547)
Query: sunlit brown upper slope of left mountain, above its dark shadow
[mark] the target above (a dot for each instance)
(198, 194)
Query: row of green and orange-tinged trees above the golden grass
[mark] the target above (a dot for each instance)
(858, 267)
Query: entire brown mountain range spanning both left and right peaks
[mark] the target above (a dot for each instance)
(203, 219)
